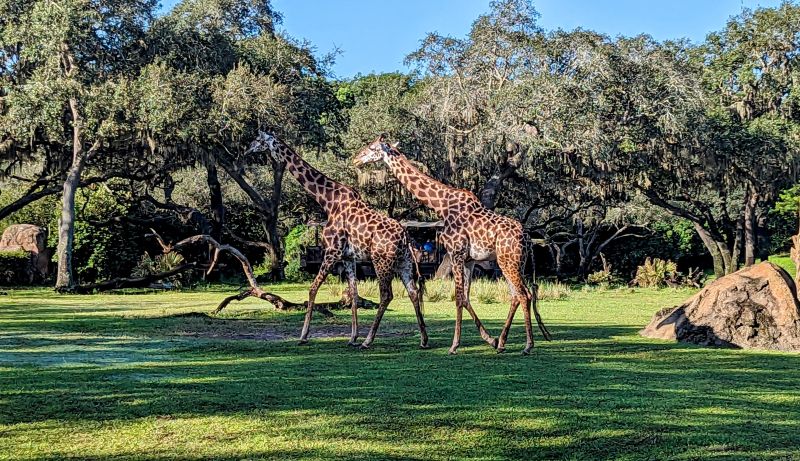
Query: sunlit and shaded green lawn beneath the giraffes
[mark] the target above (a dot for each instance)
(149, 376)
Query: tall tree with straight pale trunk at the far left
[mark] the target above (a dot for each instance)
(67, 63)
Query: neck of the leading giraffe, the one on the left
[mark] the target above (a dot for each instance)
(325, 191)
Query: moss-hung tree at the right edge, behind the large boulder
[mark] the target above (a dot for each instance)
(751, 77)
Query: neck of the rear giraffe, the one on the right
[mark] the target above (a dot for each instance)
(427, 190)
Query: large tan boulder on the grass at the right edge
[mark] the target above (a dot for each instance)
(754, 308)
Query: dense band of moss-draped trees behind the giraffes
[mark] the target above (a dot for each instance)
(114, 119)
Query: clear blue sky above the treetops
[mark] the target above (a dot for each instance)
(376, 35)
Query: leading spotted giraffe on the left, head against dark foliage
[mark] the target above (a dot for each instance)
(354, 230)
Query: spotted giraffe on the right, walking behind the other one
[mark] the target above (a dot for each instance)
(471, 233)
